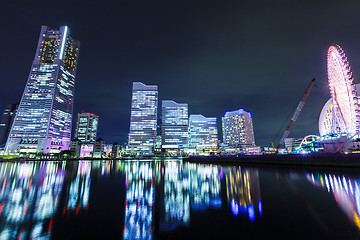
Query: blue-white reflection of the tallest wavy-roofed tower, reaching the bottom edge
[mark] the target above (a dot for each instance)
(139, 184)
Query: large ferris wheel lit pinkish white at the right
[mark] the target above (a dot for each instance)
(343, 92)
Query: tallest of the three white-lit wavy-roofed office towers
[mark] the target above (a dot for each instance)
(143, 121)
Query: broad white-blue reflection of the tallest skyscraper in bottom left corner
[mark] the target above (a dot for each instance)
(29, 198)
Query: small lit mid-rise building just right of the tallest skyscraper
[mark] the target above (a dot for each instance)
(86, 127)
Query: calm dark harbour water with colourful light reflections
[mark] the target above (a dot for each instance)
(175, 200)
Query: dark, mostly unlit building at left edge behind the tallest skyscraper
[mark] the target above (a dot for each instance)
(6, 122)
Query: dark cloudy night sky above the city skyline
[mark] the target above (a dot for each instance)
(217, 56)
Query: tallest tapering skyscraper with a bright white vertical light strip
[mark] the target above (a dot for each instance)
(43, 120)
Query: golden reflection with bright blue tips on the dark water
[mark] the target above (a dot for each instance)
(243, 191)
